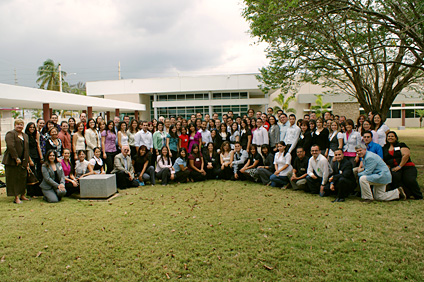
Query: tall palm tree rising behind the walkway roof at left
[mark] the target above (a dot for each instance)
(48, 76)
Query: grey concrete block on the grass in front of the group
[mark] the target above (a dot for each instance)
(98, 186)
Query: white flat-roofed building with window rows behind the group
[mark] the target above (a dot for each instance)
(186, 95)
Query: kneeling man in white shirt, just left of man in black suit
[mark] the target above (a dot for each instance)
(318, 172)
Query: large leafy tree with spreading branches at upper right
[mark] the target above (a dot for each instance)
(336, 44)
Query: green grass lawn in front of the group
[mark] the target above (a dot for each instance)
(213, 231)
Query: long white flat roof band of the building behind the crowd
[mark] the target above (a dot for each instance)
(179, 84)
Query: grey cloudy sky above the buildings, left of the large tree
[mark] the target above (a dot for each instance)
(150, 38)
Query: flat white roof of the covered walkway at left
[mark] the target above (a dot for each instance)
(33, 98)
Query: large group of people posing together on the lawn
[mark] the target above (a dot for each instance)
(328, 155)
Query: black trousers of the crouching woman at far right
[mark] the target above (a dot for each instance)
(407, 179)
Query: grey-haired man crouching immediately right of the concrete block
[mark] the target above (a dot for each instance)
(124, 170)
